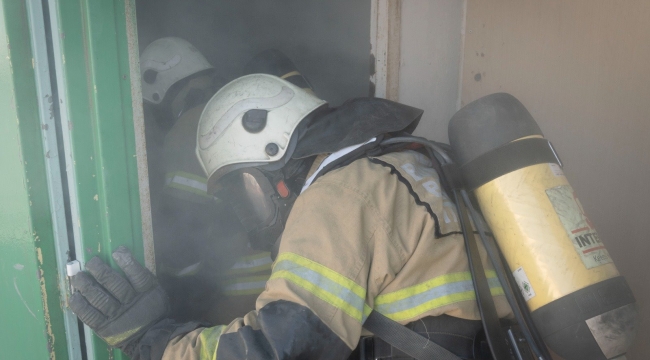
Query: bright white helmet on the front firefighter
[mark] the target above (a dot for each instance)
(250, 122)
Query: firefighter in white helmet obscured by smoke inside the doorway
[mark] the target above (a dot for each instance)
(192, 230)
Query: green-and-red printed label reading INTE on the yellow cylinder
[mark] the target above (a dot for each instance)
(578, 227)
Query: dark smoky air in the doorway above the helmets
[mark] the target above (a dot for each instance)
(328, 40)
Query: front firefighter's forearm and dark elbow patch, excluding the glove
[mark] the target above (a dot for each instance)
(280, 330)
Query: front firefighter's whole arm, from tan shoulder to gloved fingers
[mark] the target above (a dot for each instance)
(336, 256)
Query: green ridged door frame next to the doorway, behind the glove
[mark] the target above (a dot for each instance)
(95, 55)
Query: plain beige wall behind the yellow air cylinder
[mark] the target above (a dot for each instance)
(582, 69)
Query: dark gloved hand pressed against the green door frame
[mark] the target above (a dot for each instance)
(119, 310)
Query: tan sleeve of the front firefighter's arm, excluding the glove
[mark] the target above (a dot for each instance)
(334, 258)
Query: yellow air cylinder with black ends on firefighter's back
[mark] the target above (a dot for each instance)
(580, 304)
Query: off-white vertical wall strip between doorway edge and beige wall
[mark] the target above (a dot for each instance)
(430, 49)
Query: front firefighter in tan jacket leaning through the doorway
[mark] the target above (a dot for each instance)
(358, 229)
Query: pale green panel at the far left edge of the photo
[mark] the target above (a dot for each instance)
(30, 301)
